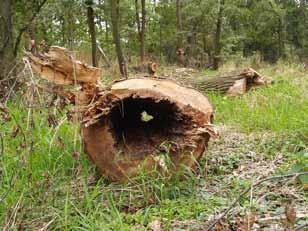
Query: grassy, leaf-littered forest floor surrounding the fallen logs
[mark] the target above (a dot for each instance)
(47, 183)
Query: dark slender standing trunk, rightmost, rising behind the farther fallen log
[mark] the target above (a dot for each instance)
(217, 58)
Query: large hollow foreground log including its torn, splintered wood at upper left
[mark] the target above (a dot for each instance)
(138, 124)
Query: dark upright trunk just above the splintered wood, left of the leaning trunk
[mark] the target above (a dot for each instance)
(91, 25)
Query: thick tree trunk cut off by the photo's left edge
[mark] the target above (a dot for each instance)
(7, 58)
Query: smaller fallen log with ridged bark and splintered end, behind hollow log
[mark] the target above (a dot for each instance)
(235, 83)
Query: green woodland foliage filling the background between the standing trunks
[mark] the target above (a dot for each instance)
(275, 29)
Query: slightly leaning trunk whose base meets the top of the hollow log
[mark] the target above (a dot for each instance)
(116, 35)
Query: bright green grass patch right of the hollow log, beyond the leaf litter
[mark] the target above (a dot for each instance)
(280, 107)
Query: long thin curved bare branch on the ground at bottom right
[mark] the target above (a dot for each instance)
(212, 225)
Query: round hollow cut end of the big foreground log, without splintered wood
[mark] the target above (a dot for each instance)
(148, 118)
